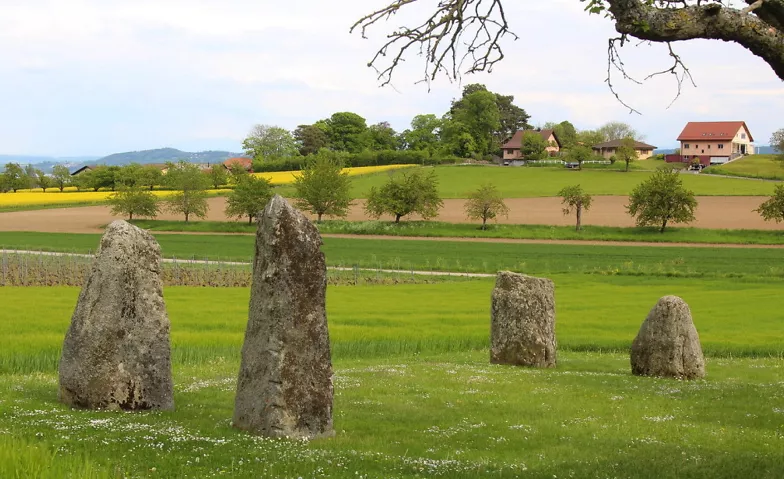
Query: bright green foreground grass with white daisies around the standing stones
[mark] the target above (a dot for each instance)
(414, 393)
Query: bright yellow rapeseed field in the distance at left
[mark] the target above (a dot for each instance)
(53, 196)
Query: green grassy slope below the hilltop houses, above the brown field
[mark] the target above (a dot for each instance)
(520, 182)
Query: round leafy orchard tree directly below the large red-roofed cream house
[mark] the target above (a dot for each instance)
(662, 199)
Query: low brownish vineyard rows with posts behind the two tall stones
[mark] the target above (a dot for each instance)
(39, 268)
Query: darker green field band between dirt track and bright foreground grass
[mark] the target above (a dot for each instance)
(694, 262)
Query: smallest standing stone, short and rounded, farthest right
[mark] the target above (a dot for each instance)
(667, 344)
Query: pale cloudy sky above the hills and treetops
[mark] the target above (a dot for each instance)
(95, 77)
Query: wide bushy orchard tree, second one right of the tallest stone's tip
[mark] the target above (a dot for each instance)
(404, 193)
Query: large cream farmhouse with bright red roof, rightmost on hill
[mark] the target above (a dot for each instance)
(714, 142)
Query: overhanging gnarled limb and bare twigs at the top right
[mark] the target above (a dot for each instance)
(479, 26)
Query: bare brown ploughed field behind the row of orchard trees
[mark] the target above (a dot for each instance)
(730, 212)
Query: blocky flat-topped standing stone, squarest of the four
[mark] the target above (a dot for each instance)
(522, 330)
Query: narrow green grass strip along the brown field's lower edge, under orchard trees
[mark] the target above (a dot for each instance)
(436, 229)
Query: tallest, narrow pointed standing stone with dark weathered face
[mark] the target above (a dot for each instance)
(285, 380)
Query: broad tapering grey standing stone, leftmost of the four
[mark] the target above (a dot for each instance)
(116, 353)
